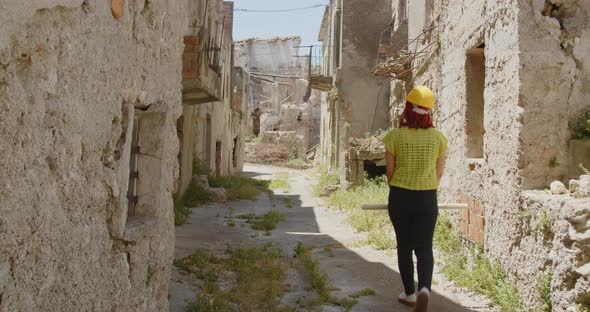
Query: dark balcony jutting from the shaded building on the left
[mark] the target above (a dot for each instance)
(201, 68)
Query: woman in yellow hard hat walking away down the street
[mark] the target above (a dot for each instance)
(415, 158)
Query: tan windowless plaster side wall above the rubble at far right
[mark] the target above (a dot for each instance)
(555, 85)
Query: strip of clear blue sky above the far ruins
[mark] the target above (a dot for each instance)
(304, 23)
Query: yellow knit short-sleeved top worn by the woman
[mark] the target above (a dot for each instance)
(416, 152)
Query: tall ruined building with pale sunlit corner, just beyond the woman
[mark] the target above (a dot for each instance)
(355, 102)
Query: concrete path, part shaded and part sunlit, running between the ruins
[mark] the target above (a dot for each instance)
(350, 266)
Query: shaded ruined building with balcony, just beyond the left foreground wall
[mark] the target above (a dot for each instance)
(212, 126)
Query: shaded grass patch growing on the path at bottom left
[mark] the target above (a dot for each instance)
(256, 282)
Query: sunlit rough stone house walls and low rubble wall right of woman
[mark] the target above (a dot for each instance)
(531, 69)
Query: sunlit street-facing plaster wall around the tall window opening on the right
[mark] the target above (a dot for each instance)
(493, 180)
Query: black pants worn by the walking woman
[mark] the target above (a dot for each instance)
(413, 214)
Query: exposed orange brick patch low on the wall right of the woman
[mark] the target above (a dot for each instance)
(472, 220)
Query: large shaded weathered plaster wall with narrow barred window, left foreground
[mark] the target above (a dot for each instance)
(70, 75)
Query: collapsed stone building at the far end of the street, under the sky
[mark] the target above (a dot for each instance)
(282, 109)
